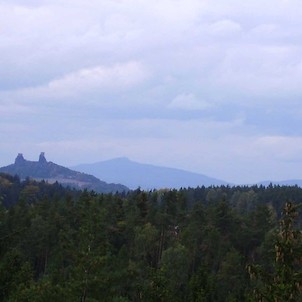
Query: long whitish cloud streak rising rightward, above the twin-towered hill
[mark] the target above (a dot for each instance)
(84, 83)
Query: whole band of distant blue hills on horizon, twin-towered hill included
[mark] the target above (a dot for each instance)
(120, 175)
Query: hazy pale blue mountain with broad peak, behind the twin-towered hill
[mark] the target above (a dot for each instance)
(145, 176)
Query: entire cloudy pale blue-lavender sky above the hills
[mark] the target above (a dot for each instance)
(209, 86)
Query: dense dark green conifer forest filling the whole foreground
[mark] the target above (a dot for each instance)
(193, 244)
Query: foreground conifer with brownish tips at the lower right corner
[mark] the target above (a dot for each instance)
(284, 282)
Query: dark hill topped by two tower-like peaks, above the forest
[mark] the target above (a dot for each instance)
(51, 172)
